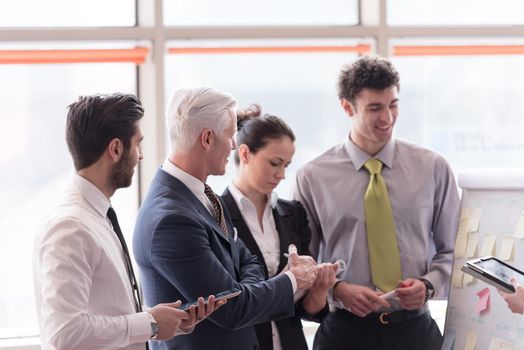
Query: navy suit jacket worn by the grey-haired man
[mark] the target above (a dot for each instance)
(183, 254)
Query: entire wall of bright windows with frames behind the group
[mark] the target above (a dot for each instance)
(459, 94)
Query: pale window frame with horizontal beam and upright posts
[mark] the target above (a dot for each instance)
(151, 31)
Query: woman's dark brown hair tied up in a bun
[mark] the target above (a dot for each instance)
(255, 131)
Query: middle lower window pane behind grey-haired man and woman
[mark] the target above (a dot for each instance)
(297, 84)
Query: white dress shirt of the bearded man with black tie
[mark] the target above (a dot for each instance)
(83, 295)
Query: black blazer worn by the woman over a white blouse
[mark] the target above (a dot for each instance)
(292, 227)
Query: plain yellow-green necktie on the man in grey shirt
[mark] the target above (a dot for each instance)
(384, 257)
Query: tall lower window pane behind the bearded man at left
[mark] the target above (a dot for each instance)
(36, 165)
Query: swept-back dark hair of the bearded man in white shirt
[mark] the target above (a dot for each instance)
(93, 121)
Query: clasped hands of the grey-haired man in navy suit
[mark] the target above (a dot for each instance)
(306, 270)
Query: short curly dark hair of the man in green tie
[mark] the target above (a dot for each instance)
(368, 72)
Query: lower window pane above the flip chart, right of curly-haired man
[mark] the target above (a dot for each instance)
(466, 106)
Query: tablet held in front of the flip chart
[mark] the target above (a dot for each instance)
(495, 272)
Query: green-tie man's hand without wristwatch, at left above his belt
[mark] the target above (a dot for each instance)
(359, 300)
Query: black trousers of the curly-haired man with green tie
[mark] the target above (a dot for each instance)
(343, 330)
